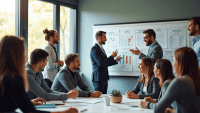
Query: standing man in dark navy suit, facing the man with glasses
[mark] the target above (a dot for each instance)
(100, 63)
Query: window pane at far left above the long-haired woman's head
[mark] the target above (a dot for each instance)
(7, 18)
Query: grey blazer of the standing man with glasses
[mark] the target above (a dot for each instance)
(154, 53)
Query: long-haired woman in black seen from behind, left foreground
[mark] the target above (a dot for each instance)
(13, 79)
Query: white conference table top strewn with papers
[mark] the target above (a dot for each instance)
(96, 105)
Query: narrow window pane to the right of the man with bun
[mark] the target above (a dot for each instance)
(67, 31)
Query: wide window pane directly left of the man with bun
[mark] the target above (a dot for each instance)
(40, 16)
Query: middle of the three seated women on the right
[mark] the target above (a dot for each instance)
(162, 71)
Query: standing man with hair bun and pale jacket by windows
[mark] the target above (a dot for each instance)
(53, 61)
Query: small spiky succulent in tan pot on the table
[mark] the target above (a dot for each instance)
(116, 96)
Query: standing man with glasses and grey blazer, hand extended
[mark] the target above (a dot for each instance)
(155, 51)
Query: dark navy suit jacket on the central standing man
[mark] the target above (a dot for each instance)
(100, 63)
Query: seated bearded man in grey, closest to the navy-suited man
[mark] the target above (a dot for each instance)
(68, 79)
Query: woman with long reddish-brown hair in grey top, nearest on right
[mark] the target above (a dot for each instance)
(184, 90)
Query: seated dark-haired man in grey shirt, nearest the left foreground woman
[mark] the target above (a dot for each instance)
(37, 85)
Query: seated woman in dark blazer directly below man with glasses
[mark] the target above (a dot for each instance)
(147, 84)
